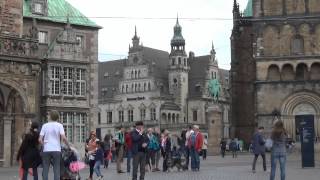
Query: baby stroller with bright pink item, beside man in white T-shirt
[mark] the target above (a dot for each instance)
(70, 164)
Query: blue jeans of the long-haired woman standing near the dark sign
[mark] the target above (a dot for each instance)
(282, 161)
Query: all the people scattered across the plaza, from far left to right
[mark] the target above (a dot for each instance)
(142, 149)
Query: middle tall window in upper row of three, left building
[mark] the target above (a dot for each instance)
(67, 84)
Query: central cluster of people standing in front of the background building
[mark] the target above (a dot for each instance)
(144, 148)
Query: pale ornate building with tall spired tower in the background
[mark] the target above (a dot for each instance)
(167, 90)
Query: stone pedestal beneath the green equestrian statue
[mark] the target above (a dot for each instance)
(215, 128)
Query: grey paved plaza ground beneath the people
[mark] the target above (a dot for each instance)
(214, 168)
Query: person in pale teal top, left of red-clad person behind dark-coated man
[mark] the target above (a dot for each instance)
(119, 142)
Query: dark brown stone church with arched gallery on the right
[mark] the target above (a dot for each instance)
(275, 68)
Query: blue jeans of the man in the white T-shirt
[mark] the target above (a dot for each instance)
(47, 158)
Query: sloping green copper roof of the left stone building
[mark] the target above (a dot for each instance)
(58, 11)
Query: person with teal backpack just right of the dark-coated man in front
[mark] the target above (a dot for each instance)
(153, 147)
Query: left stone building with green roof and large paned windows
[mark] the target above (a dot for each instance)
(47, 62)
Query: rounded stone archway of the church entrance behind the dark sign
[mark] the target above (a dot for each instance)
(300, 103)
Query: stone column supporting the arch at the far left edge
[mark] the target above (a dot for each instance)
(7, 140)
